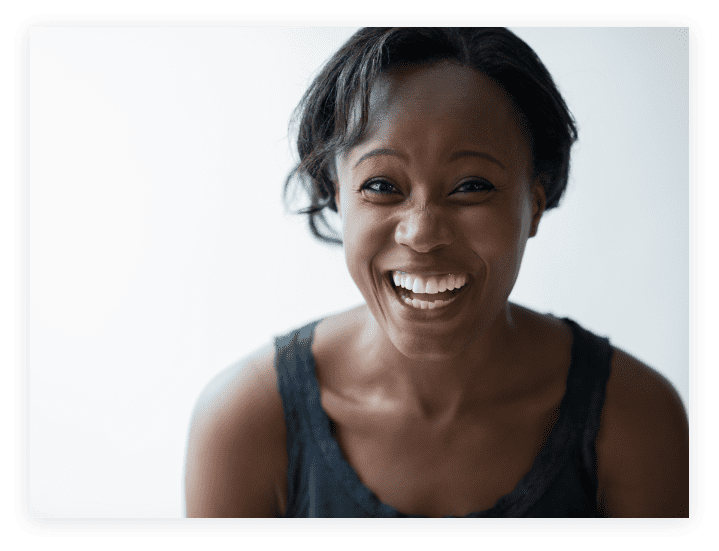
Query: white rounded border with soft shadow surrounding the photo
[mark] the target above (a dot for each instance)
(357, 527)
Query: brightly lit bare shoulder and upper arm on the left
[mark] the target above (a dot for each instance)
(236, 454)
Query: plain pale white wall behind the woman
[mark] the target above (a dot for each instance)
(160, 252)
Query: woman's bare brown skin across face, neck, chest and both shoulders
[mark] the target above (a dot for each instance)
(438, 415)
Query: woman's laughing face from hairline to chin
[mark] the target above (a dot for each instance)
(439, 184)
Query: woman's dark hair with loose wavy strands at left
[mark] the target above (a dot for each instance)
(326, 127)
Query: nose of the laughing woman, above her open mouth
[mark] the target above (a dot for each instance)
(423, 229)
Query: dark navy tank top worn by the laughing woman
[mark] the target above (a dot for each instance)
(561, 483)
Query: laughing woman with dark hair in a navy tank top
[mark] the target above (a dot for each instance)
(440, 149)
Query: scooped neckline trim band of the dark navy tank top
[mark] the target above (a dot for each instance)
(546, 466)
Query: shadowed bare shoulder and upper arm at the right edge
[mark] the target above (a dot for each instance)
(642, 446)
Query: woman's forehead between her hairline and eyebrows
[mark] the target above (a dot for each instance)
(439, 107)
